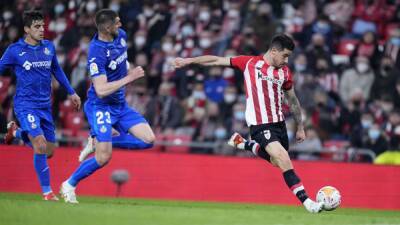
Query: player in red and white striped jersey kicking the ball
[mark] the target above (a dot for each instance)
(267, 79)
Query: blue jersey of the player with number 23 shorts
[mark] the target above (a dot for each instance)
(110, 59)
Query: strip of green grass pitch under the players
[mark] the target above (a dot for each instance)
(27, 209)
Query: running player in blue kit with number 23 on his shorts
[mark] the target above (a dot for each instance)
(106, 106)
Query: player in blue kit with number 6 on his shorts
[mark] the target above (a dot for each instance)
(34, 61)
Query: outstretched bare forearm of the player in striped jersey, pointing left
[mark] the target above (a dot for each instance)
(206, 60)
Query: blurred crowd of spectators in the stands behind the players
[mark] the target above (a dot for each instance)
(346, 67)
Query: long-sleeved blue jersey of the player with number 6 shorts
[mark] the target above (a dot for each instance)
(33, 66)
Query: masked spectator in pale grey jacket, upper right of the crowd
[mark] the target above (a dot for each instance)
(360, 77)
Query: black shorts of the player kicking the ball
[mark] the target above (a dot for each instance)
(264, 134)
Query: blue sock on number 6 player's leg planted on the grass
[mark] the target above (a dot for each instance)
(42, 170)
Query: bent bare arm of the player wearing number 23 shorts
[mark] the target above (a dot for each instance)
(104, 88)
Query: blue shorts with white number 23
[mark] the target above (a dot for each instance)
(103, 117)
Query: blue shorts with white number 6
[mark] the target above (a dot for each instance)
(37, 122)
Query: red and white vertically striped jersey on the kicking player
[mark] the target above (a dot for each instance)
(264, 85)
